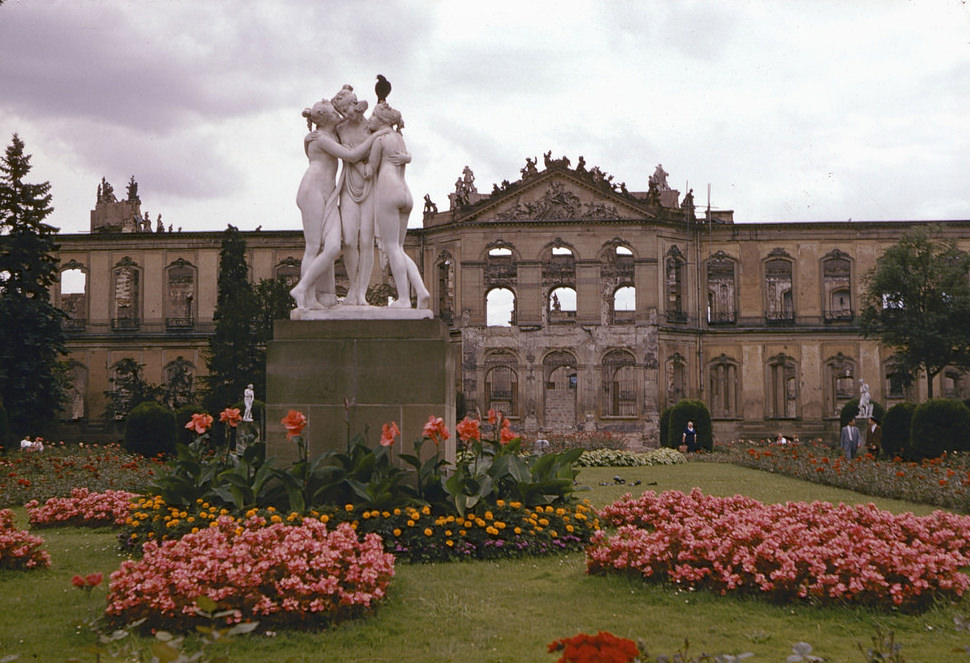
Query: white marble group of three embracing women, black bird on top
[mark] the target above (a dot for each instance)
(370, 201)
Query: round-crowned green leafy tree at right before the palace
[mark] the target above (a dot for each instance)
(917, 302)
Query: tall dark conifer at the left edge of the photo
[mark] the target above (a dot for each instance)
(32, 377)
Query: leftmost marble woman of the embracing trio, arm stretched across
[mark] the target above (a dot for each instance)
(317, 199)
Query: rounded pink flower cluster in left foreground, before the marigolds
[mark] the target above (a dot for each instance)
(280, 573)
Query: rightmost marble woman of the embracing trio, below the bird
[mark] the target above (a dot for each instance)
(393, 203)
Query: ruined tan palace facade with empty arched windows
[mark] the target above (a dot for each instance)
(574, 305)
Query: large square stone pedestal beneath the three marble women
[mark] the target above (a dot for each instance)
(388, 370)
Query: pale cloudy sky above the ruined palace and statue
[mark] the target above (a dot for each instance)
(790, 110)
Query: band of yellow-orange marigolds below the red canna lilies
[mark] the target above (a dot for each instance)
(508, 529)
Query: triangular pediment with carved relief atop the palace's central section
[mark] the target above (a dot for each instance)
(556, 197)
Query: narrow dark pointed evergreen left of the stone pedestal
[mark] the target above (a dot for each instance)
(234, 358)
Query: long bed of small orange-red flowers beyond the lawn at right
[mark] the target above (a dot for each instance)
(943, 481)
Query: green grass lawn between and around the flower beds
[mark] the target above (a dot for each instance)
(508, 611)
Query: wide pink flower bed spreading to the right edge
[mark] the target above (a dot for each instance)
(797, 550)
